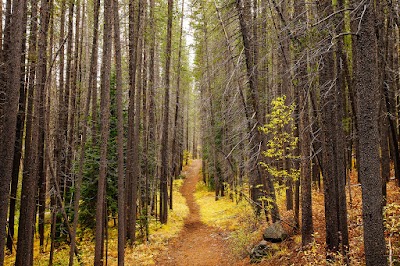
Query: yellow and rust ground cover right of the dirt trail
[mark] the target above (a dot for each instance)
(244, 230)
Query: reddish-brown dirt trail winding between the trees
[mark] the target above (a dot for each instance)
(197, 244)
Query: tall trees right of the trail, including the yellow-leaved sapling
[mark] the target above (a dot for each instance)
(336, 62)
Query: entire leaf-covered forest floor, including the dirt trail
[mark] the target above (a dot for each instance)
(204, 232)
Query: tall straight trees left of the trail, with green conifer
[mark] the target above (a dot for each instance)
(84, 113)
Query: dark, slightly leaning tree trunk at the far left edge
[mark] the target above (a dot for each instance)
(10, 86)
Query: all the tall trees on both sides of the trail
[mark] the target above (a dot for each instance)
(100, 107)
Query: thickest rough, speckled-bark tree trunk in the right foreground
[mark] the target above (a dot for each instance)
(366, 83)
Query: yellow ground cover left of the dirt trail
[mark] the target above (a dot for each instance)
(141, 254)
